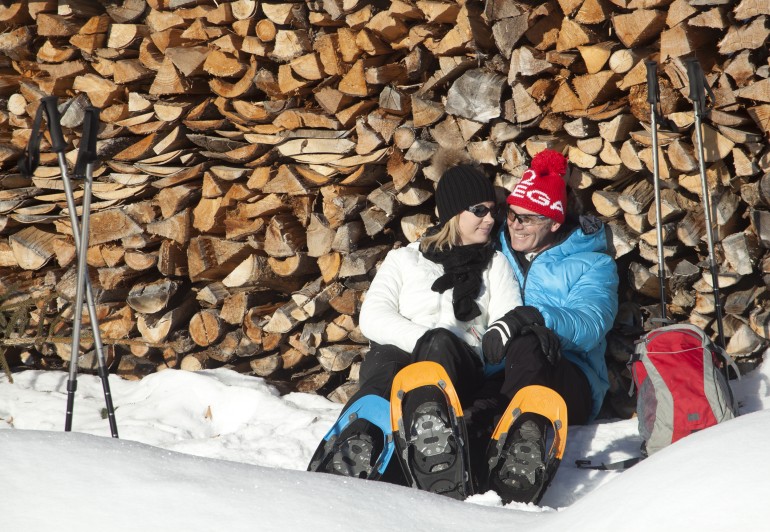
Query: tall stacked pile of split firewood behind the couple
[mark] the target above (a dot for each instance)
(259, 158)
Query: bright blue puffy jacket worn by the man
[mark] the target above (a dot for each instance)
(574, 285)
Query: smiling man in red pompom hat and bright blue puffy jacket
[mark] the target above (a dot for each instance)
(569, 287)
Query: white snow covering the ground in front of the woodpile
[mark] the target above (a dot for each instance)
(220, 451)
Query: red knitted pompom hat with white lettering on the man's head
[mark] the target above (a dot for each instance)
(542, 188)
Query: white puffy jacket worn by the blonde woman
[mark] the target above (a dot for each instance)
(400, 305)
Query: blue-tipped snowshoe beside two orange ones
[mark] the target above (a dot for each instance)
(360, 444)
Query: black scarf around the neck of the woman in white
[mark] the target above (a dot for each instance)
(463, 268)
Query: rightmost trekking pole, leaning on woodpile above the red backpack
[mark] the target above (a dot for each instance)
(698, 96)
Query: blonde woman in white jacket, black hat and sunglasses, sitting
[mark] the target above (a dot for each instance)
(430, 301)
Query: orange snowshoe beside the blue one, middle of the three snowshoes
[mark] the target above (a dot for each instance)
(429, 431)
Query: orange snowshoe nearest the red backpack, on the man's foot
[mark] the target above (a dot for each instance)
(520, 466)
